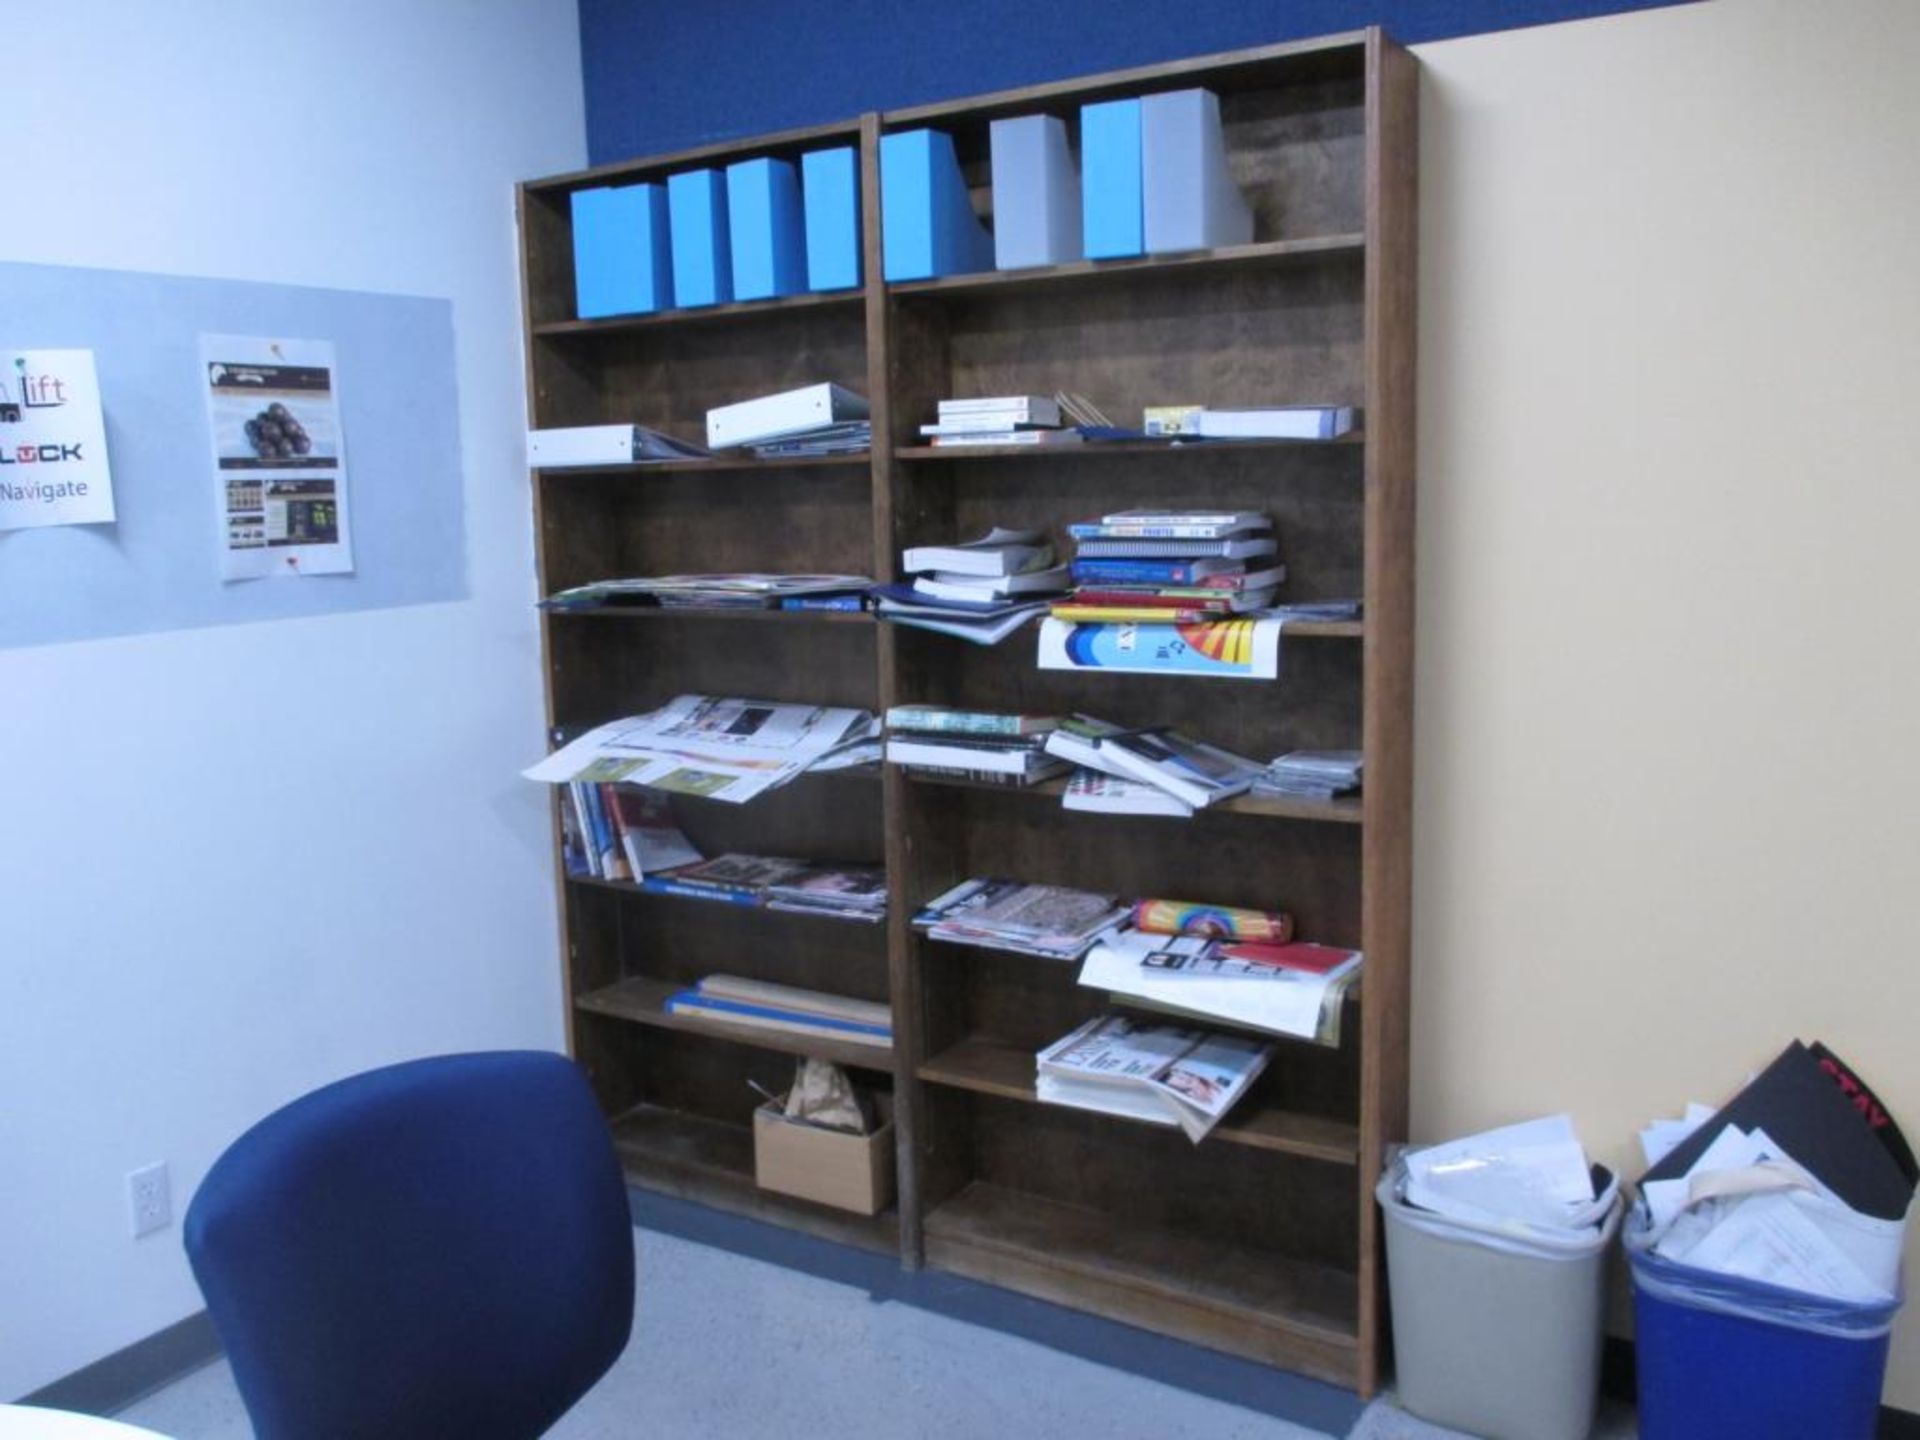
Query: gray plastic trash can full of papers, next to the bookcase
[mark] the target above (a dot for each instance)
(1497, 1330)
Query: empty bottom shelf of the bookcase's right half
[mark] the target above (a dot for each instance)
(1234, 1297)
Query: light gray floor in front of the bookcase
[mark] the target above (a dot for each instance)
(729, 1345)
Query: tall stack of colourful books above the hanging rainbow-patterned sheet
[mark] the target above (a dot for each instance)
(1172, 567)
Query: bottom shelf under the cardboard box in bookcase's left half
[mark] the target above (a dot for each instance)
(711, 1161)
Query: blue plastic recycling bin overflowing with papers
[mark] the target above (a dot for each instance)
(1723, 1358)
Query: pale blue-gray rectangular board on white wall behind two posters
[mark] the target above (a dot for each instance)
(156, 567)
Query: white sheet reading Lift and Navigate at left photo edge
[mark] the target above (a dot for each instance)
(53, 441)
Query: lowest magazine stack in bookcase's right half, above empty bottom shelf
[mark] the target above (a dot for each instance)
(1161, 1074)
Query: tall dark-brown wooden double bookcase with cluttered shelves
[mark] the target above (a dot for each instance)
(1264, 1239)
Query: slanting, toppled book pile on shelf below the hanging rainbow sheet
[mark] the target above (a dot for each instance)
(1147, 771)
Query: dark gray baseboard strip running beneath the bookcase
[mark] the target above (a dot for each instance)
(1243, 1383)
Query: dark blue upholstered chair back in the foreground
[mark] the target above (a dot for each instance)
(431, 1251)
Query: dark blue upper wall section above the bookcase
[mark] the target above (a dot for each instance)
(673, 74)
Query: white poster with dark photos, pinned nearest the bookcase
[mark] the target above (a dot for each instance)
(279, 464)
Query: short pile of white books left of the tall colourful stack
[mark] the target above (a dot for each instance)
(980, 590)
